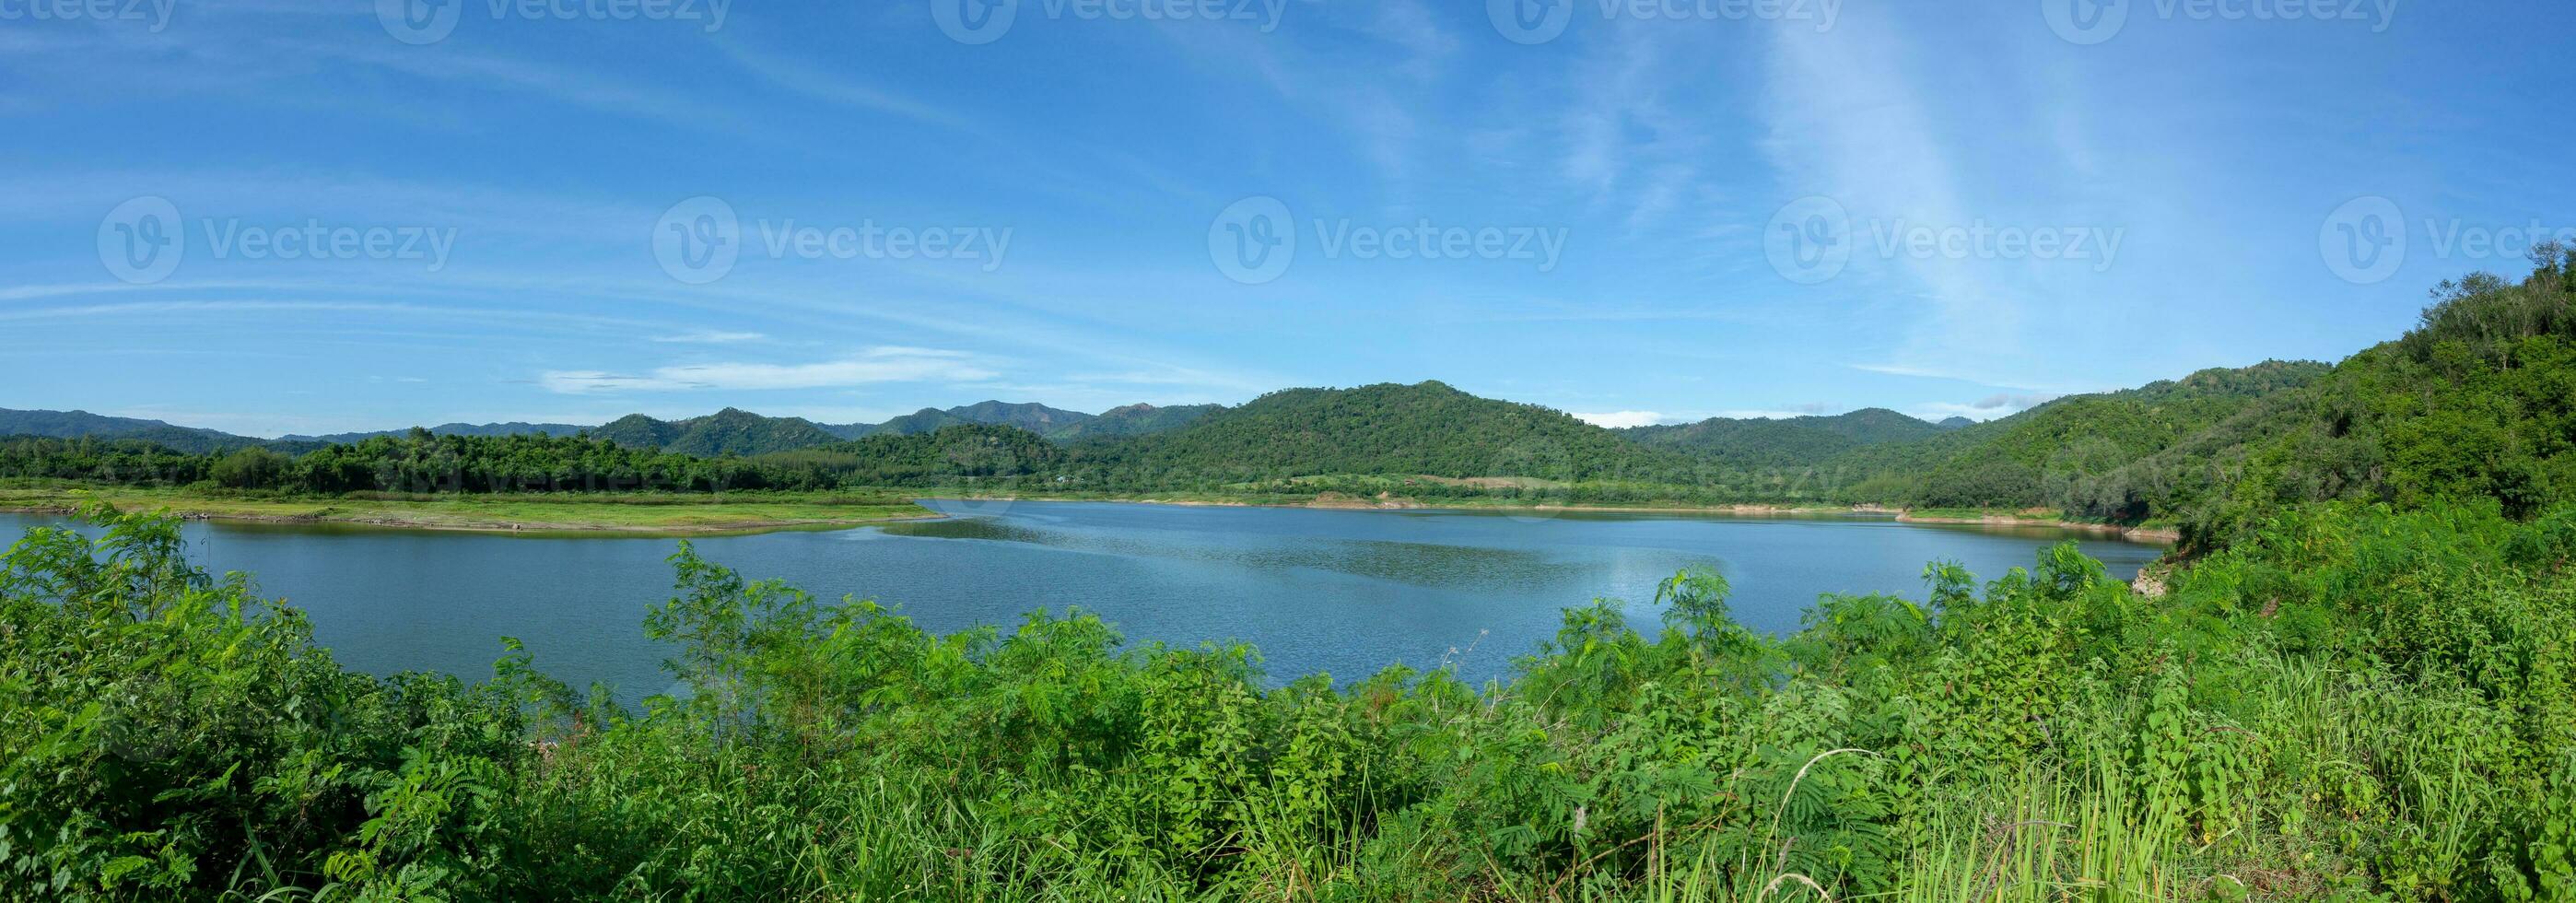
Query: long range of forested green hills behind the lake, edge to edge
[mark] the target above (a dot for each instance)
(2472, 405)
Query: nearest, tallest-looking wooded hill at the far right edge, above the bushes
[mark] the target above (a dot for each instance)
(2477, 403)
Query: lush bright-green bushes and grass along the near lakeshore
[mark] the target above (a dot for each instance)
(2356, 704)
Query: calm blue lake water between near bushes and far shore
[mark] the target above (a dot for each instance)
(1318, 590)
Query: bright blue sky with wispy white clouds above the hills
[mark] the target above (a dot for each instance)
(303, 217)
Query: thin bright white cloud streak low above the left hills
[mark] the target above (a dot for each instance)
(872, 367)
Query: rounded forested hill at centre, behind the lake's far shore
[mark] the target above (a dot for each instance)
(1395, 431)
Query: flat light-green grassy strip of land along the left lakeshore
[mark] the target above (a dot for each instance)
(498, 513)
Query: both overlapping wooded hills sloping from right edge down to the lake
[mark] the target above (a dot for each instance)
(2469, 405)
